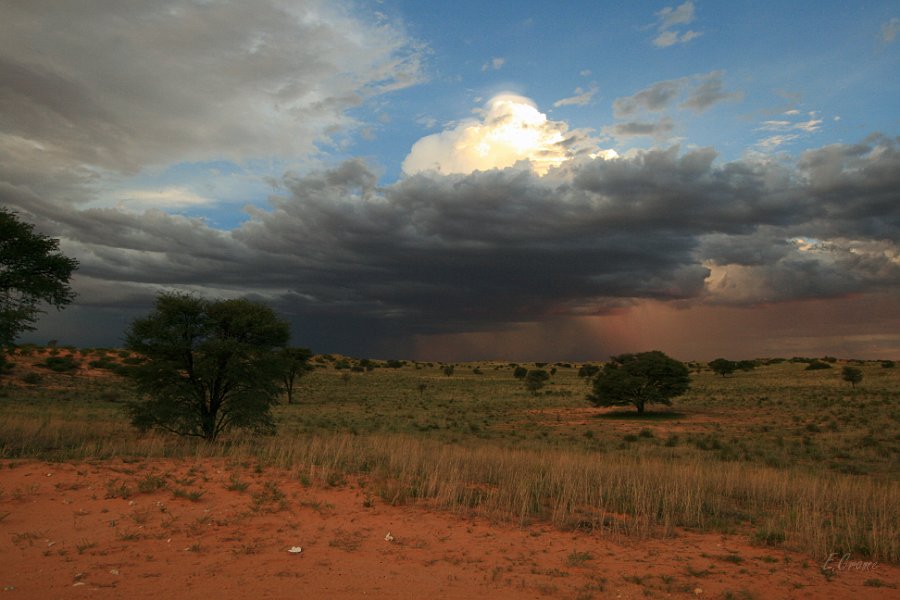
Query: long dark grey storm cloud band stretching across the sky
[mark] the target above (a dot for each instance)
(375, 266)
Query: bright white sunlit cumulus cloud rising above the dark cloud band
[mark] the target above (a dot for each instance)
(511, 129)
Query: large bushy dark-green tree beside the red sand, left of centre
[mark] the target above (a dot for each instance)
(209, 366)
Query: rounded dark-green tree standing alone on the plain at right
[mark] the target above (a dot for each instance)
(640, 379)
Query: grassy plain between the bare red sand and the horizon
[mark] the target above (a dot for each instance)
(787, 457)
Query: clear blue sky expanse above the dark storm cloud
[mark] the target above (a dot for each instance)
(802, 76)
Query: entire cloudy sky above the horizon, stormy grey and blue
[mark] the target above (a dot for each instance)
(514, 180)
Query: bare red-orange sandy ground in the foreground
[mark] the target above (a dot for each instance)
(186, 529)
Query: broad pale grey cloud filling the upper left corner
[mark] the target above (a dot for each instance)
(122, 85)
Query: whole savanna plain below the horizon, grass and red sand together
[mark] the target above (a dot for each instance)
(407, 479)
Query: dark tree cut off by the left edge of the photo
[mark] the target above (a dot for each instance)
(33, 272)
